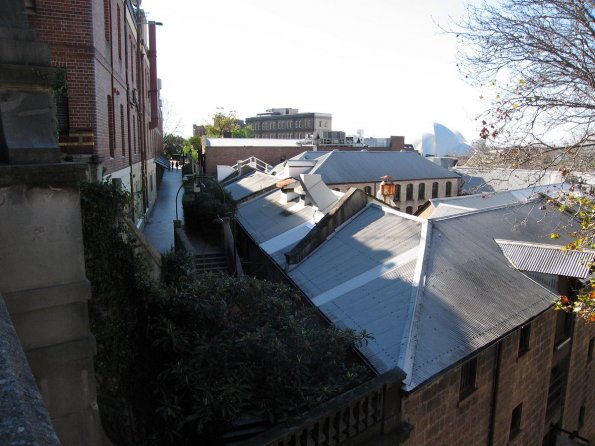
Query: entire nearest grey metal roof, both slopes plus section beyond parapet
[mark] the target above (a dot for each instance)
(430, 292)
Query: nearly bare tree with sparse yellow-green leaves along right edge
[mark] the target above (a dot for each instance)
(535, 62)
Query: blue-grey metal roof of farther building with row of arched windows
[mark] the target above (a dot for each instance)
(363, 167)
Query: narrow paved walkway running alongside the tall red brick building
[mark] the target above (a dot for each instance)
(159, 230)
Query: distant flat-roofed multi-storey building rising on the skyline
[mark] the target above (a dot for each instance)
(288, 123)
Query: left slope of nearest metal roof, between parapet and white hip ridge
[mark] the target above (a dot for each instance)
(363, 278)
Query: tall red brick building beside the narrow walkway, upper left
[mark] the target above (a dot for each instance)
(107, 92)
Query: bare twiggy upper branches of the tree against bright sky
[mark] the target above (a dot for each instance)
(536, 61)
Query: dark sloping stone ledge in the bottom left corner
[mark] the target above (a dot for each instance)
(23, 417)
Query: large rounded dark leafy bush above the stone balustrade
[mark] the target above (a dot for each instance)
(232, 347)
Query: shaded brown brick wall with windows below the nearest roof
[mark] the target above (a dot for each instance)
(439, 417)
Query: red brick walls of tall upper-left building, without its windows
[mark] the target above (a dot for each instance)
(76, 34)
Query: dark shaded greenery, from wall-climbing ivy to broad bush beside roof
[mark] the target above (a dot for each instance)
(177, 362)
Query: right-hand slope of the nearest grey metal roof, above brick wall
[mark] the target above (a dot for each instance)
(471, 296)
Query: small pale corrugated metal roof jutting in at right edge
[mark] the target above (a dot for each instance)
(547, 259)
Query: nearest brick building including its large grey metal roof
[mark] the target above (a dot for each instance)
(459, 303)
